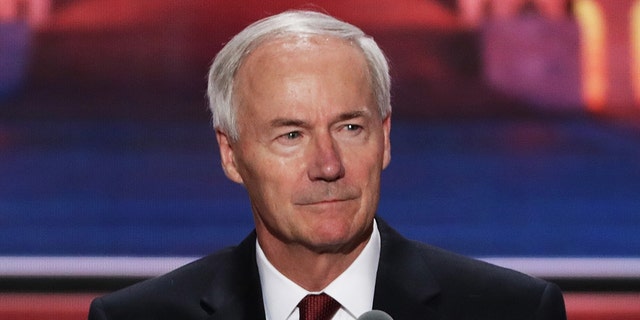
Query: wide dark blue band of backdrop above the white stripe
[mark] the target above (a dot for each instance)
(511, 186)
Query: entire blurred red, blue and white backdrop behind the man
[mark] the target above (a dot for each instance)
(516, 139)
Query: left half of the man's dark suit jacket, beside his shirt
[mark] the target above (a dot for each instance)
(224, 285)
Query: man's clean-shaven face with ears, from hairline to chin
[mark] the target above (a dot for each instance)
(312, 143)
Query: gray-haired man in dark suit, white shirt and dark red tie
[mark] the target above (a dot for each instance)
(301, 109)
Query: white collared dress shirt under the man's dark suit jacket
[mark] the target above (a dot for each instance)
(353, 289)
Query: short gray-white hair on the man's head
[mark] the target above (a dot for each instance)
(222, 73)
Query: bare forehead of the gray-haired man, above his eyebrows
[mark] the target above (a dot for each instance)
(287, 66)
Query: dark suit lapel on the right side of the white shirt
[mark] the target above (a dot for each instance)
(404, 286)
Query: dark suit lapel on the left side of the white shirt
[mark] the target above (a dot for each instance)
(235, 290)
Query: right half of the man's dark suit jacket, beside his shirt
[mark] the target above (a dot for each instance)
(441, 284)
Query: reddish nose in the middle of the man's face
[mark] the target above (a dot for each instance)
(325, 160)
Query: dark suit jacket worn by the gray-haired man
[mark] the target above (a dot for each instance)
(414, 281)
